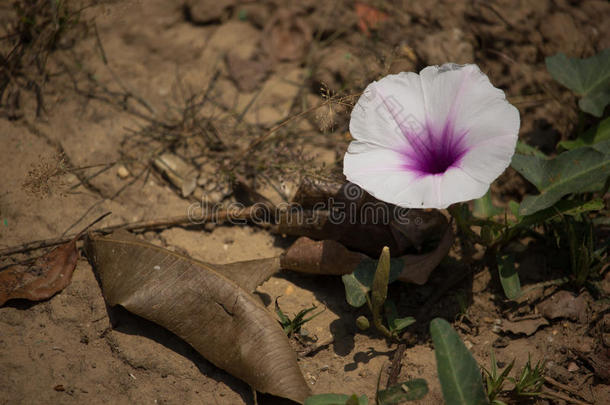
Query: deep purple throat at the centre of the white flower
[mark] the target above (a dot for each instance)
(433, 153)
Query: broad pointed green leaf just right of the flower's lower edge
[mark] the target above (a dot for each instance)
(579, 170)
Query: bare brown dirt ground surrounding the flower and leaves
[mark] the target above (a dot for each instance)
(255, 64)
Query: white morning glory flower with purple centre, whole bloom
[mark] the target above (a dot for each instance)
(433, 139)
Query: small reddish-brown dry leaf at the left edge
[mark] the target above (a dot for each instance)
(48, 275)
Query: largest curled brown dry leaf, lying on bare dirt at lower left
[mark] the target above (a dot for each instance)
(210, 307)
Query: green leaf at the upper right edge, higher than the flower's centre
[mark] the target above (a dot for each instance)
(589, 78)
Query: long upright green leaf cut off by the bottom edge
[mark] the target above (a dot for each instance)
(458, 372)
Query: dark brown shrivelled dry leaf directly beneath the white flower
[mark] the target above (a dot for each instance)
(345, 213)
